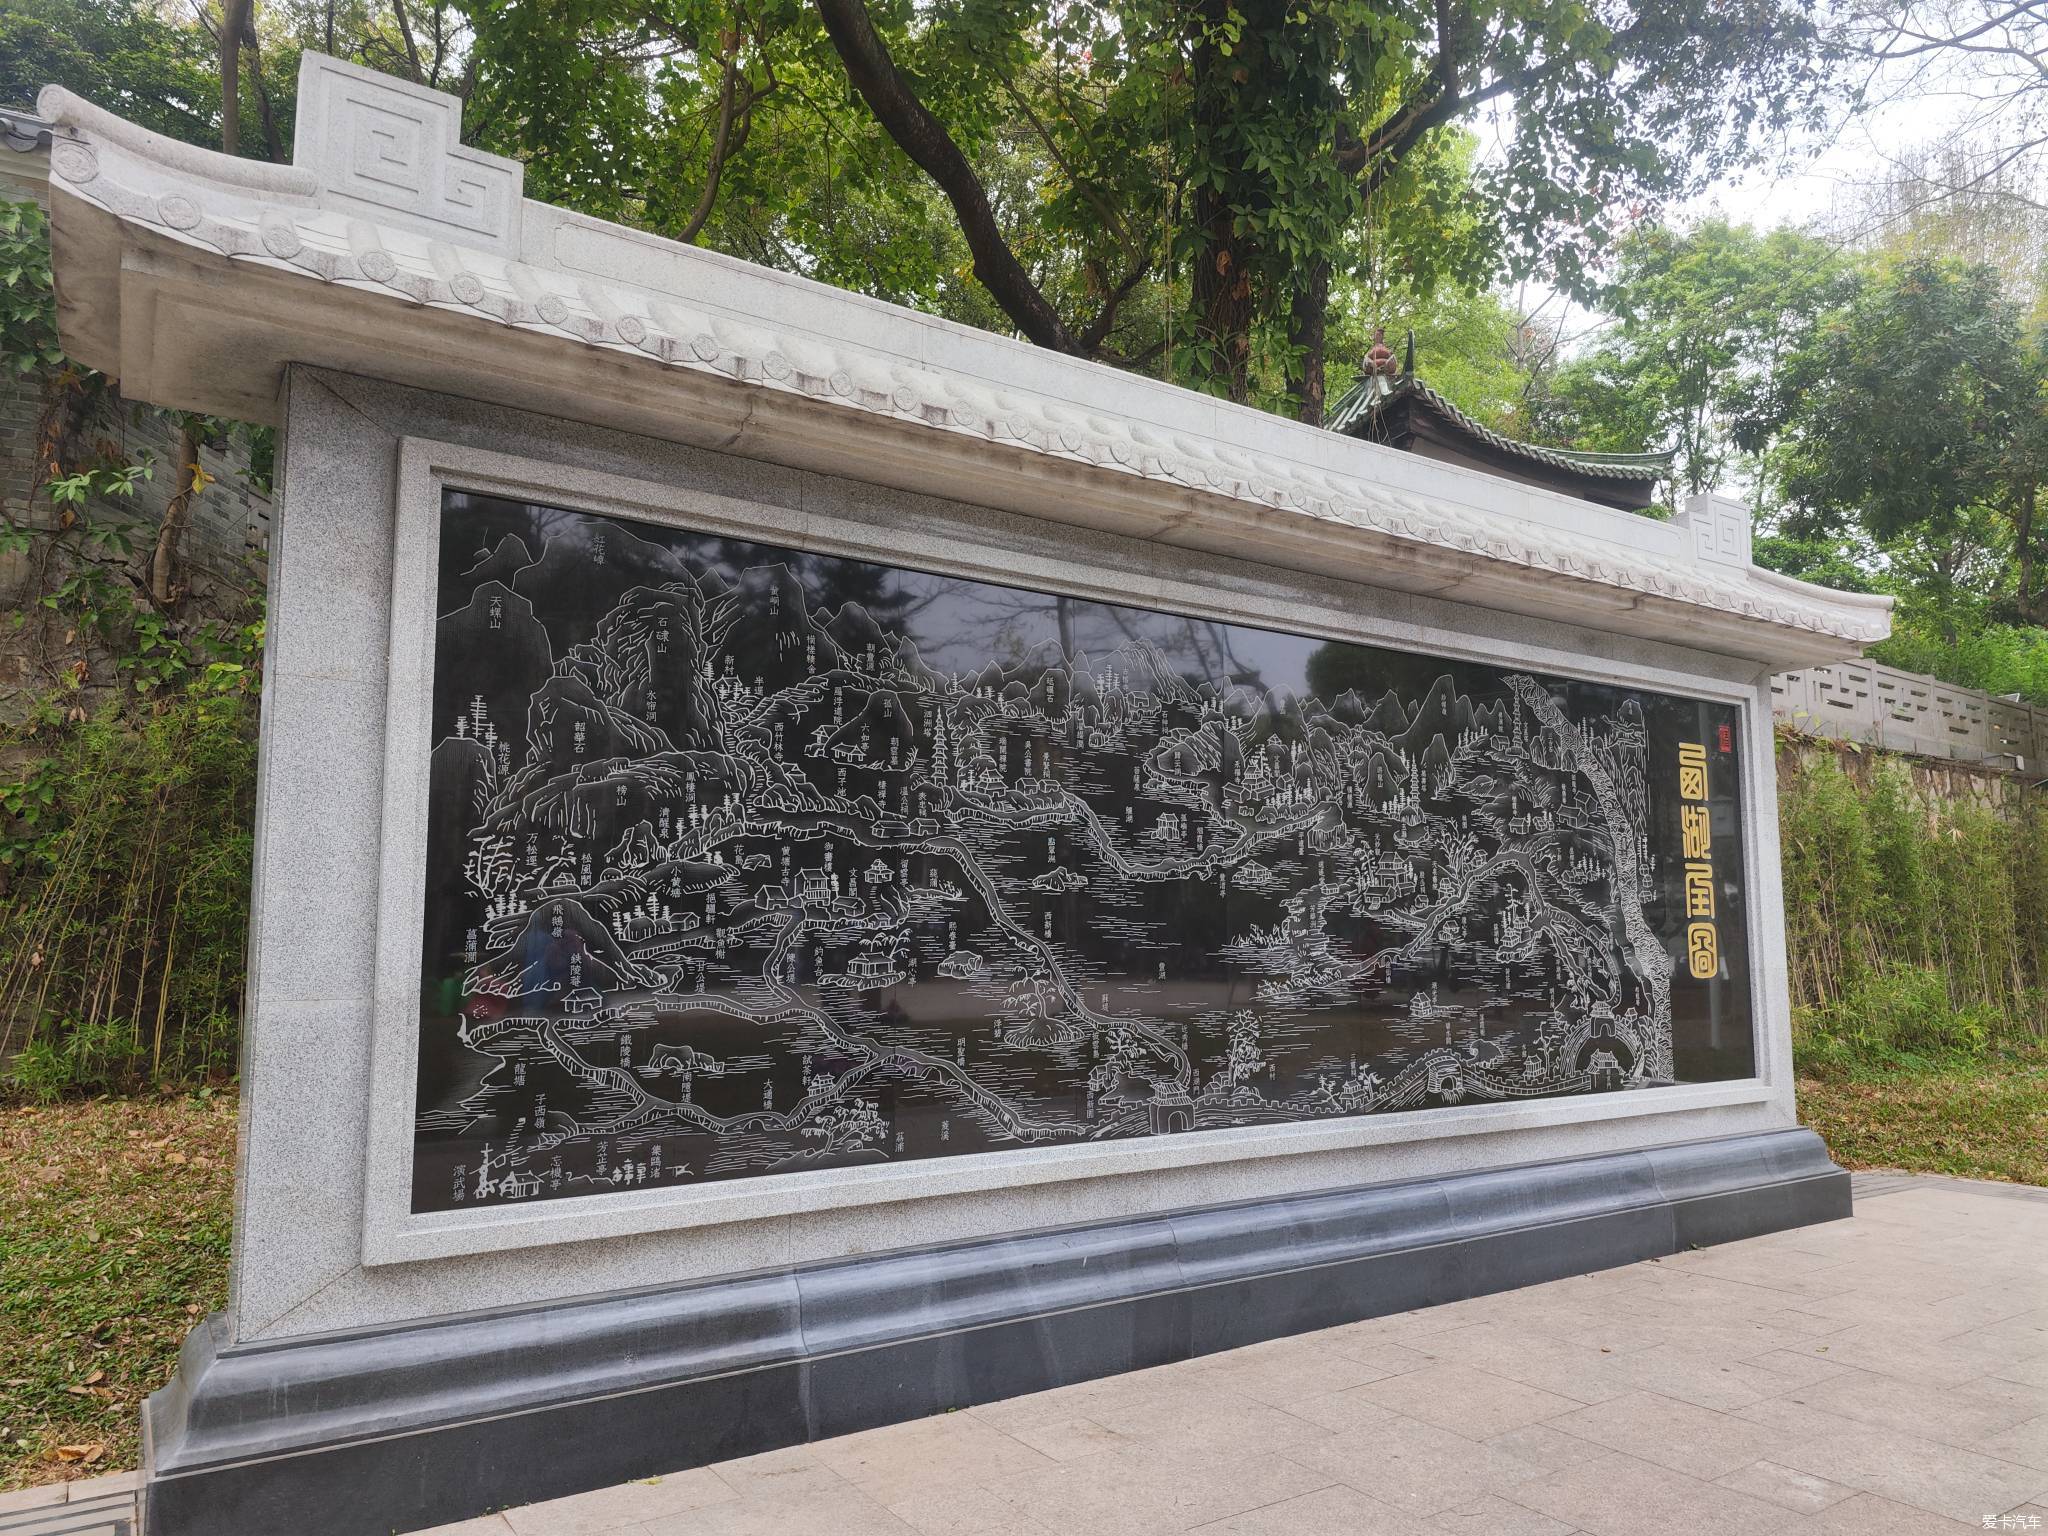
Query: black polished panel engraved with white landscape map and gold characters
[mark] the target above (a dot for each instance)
(749, 861)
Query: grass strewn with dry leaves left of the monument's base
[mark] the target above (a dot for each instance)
(114, 1242)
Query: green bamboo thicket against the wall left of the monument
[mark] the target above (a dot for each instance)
(128, 855)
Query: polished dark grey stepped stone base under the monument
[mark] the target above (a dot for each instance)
(425, 1424)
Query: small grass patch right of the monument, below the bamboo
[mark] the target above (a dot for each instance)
(1975, 1119)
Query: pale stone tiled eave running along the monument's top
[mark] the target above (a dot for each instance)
(273, 216)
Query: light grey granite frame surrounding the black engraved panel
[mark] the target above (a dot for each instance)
(392, 1234)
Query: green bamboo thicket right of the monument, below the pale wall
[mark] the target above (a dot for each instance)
(1916, 927)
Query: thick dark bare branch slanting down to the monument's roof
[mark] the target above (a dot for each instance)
(927, 142)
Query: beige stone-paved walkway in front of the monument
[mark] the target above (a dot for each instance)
(1881, 1375)
